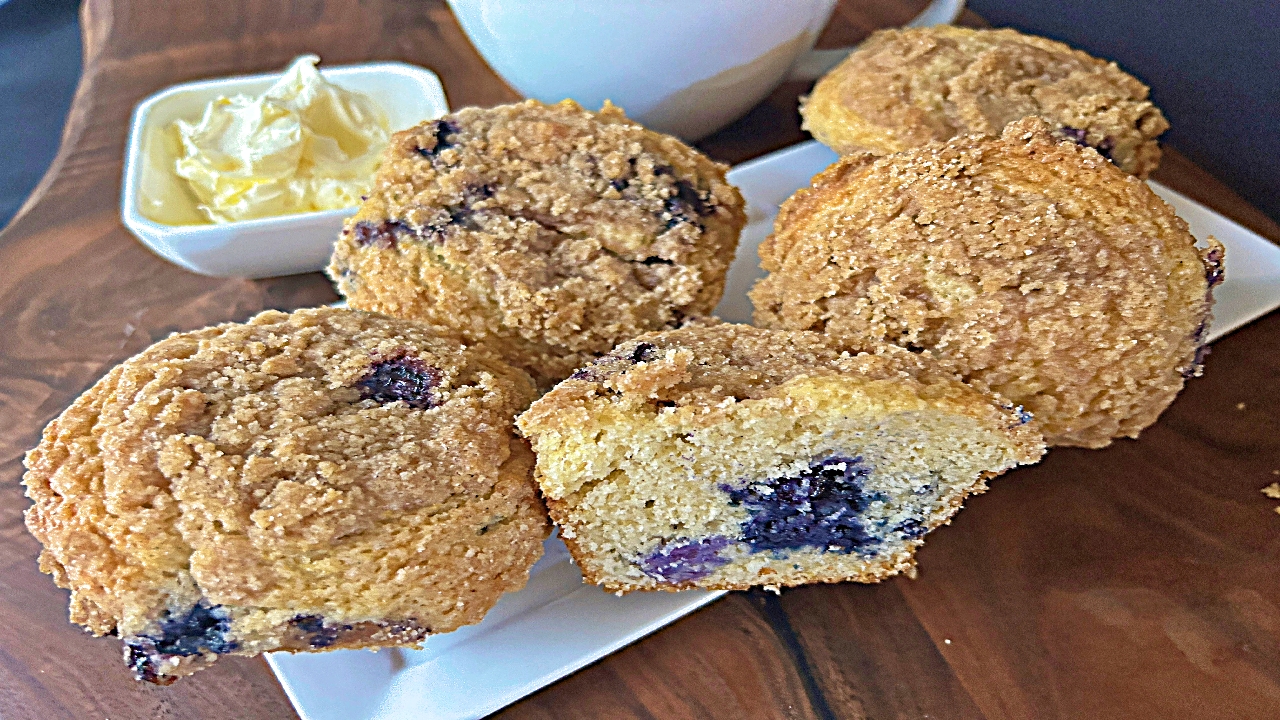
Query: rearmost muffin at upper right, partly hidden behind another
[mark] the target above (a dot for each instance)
(906, 88)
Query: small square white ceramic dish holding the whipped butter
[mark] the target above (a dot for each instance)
(162, 212)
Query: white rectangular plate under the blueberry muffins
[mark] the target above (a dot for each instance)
(557, 626)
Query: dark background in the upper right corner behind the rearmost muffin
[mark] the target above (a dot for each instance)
(1214, 69)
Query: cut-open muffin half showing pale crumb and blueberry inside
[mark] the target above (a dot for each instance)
(728, 457)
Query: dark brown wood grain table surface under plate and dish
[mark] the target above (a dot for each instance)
(1135, 582)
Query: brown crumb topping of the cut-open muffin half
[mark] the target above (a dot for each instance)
(700, 373)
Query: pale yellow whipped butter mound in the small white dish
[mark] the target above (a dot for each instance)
(305, 145)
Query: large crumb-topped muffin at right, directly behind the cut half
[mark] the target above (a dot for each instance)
(1030, 265)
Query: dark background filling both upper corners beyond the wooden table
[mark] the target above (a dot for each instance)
(1214, 69)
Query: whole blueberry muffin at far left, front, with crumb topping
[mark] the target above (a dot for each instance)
(312, 481)
